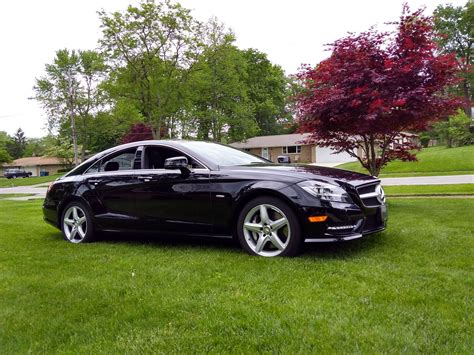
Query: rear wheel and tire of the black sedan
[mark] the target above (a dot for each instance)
(76, 223)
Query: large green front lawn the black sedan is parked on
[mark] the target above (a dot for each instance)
(408, 289)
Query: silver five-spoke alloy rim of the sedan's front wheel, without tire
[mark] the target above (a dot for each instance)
(266, 230)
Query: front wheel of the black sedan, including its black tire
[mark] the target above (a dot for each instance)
(276, 232)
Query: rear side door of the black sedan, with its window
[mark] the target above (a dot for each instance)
(112, 182)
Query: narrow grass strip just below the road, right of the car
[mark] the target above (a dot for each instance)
(420, 190)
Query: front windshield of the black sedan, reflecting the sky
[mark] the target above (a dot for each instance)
(223, 155)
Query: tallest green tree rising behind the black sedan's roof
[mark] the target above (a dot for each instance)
(150, 49)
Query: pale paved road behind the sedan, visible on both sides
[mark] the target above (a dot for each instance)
(39, 191)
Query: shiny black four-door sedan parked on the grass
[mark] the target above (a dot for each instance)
(207, 189)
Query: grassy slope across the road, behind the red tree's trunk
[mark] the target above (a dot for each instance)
(431, 162)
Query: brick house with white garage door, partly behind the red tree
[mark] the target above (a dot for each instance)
(294, 146)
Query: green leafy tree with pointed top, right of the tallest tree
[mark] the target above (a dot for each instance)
(221, 105)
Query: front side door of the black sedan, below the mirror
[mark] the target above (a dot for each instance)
(169, 201)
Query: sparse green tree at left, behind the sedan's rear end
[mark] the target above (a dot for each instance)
(70, 94)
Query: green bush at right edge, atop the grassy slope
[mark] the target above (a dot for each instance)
(455, 130)
